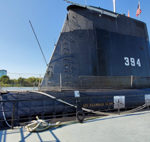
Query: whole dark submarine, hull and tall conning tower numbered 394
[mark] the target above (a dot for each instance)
(101, 58)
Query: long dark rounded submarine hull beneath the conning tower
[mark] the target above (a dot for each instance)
(28, 104)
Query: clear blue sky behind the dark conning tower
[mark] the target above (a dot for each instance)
(19, 51)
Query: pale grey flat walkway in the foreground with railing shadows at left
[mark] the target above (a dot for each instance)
(130, 127)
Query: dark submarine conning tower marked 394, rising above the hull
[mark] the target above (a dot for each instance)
(99, 49)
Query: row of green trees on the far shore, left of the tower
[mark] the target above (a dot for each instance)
(5, 81)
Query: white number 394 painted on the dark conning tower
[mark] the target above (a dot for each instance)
(132, 62)
